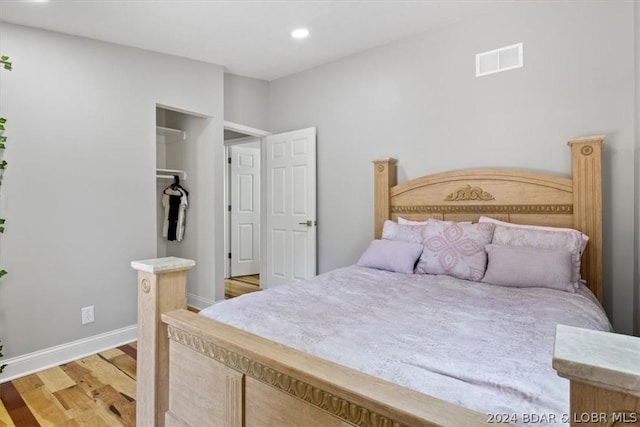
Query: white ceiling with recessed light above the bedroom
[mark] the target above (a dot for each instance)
(248, 37)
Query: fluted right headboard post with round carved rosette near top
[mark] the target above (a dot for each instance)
(586, 164)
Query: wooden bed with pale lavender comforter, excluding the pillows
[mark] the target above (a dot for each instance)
(193, 369)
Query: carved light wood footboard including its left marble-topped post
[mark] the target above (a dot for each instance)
(193, 370)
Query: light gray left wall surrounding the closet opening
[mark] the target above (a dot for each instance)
(79, 194)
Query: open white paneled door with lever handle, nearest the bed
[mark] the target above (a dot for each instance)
(290, 217)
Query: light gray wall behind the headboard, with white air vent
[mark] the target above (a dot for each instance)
(419, 101)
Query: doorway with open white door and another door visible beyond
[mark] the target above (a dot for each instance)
(270, 198)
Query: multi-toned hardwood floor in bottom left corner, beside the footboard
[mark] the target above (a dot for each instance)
(99, 390)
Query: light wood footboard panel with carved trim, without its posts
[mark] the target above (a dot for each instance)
(220, 373)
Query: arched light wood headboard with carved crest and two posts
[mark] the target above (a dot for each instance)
(508, 195)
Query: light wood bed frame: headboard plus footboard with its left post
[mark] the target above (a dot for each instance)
(194, 371)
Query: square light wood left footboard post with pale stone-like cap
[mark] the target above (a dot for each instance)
(161, 288)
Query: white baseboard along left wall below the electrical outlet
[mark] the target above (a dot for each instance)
(53, 356)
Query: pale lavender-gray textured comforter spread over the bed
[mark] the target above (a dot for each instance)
(485, 347)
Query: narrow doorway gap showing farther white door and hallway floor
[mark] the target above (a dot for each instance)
(243, 197)
